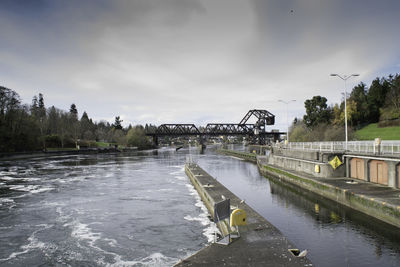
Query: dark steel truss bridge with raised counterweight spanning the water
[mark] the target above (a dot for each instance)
(255, 131)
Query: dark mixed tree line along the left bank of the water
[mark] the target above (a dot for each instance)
(25, 127)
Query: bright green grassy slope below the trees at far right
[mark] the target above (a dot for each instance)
(372, 131)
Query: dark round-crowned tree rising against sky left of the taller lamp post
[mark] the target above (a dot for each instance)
(317, 111)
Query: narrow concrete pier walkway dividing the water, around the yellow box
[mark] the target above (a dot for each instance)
(260, 244)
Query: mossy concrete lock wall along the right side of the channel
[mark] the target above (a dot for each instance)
(380, 202)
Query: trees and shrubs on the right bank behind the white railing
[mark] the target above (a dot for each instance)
(378, 103)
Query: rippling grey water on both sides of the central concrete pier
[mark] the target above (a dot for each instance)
(141, 210)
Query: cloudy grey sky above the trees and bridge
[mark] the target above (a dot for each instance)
(194, 61)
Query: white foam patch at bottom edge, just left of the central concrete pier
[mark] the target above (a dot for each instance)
(155, 259)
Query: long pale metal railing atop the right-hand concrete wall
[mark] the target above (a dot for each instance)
(367, 147)
